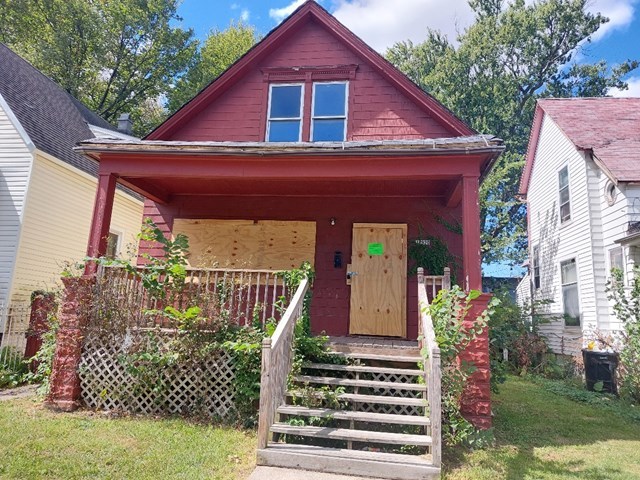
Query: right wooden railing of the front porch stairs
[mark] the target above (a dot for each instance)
(430, 352)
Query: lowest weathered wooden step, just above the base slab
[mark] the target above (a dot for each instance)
(365, 436)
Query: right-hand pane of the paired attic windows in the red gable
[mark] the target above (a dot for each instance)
(329, 118)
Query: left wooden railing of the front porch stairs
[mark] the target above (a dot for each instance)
(277, 355)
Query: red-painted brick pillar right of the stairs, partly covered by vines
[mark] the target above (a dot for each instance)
(476, 402)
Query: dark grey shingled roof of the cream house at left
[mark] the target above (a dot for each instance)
(54, 120)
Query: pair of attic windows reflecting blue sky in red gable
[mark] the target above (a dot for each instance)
(327, 112)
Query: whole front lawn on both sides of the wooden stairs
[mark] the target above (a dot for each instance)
(539, 435)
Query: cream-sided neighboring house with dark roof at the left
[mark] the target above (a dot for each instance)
(47, 190)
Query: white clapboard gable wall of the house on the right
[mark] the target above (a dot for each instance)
(559, 242)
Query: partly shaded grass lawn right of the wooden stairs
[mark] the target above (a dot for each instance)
(543, 435)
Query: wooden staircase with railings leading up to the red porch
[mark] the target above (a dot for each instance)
(370, 411)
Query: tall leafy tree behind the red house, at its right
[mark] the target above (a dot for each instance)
(513, 54)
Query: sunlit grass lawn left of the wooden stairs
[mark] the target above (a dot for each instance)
(36, 443)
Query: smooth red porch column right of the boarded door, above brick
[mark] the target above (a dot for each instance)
(471, 258)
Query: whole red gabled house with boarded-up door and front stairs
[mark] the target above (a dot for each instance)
(312, 147)
